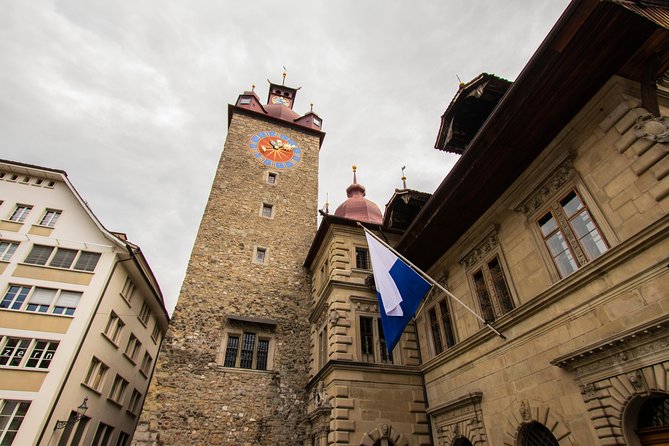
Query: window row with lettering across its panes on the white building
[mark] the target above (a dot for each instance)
(14, 352)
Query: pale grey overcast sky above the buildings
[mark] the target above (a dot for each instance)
(130, 98)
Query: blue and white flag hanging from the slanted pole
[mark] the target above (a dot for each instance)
(399, 289)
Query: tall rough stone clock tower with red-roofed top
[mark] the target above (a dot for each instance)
(234, 364)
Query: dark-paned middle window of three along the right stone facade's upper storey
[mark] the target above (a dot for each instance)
(492, 290)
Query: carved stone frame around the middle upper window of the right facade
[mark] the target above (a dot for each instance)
(478, 260)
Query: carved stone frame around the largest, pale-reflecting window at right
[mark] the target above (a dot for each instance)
(556, 186)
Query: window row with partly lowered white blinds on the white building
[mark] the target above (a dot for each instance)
(42, 300)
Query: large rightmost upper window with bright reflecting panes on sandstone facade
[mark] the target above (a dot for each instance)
(571, 235)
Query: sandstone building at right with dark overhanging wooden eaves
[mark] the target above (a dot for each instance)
(561, 242)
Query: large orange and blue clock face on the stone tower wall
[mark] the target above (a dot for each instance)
(273, 149)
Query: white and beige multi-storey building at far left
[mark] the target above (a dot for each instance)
(81, 317)
